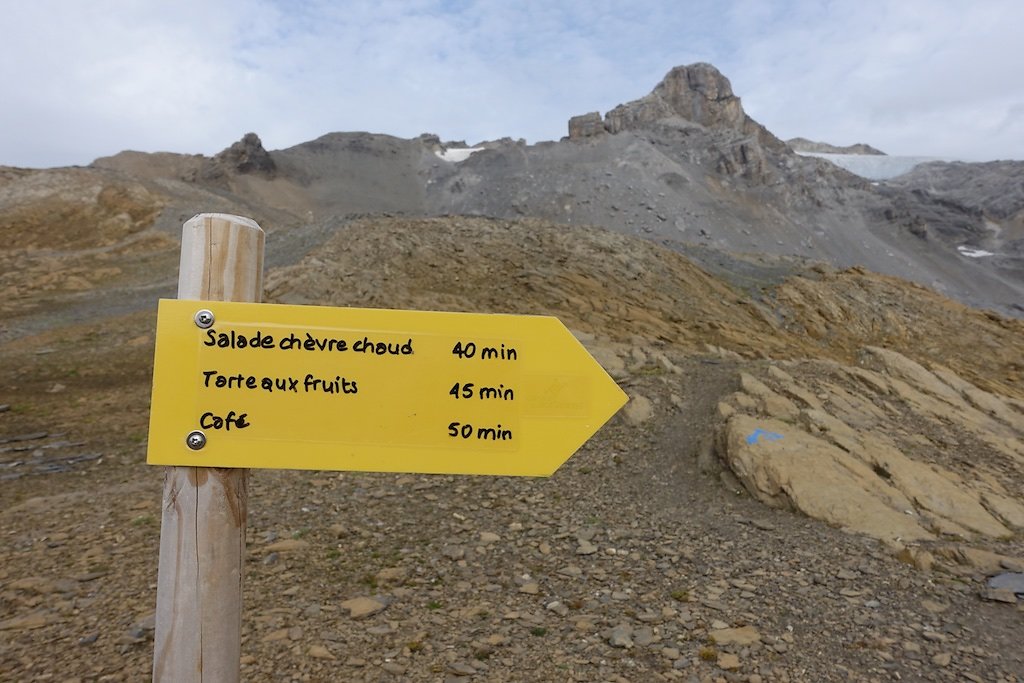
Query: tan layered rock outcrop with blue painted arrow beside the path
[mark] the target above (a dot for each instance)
(890, 449)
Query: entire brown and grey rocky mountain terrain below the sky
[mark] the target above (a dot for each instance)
(819, 478)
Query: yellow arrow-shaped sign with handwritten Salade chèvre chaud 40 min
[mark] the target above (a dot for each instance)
(312, 388)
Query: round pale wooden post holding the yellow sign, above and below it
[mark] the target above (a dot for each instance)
(203, 528)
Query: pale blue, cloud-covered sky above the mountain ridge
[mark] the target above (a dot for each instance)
(86, 79)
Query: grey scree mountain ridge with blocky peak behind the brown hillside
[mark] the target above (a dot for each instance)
(685, 164)
